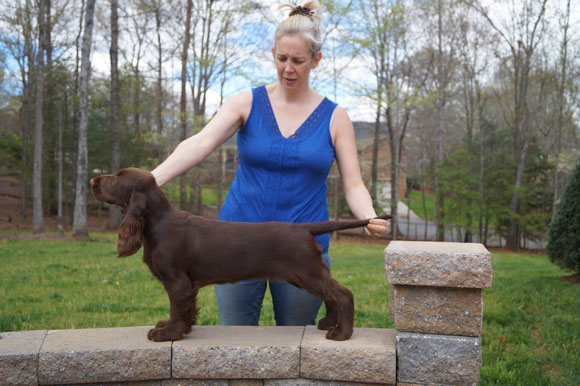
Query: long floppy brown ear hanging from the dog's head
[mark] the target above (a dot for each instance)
(131, 231)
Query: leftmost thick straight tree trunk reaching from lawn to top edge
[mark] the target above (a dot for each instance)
(37, 215)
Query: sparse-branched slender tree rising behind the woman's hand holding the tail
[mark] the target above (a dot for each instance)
(386, 41)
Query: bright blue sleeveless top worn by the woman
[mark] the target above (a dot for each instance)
(279, 178)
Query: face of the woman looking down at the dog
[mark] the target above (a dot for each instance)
(294, 61)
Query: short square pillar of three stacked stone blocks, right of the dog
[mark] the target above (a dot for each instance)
(436, 303)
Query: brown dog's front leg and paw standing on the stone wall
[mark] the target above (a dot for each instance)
(182, 311)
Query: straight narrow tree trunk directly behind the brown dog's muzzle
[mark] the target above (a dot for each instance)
(114, 211)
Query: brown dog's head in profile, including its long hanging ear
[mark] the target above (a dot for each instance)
(130, 189)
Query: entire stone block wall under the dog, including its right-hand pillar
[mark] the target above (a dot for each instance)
(436, 303)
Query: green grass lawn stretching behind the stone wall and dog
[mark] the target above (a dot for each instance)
(531, 320)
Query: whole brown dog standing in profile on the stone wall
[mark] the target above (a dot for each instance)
(188, 252)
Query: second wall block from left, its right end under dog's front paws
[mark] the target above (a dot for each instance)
(102, 355)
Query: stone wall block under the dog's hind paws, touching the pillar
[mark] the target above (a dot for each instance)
(368, 356)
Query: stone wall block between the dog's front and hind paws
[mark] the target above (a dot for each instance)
(243, 352)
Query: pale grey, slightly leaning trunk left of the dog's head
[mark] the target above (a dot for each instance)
(80, 228)
